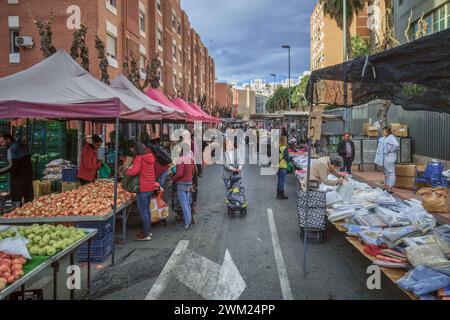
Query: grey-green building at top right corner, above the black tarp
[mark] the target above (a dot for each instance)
(407, 14)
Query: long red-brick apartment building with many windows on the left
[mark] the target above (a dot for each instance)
(141, 28)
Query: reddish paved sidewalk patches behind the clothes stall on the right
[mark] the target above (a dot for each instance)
(376, 178)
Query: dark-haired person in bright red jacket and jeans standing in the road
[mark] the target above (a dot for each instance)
(144, 166)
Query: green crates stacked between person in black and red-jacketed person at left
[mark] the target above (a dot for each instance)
(48, 139)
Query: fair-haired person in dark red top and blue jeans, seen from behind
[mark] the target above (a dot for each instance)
(183, 178)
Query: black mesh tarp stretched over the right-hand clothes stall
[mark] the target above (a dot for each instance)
(415, 75)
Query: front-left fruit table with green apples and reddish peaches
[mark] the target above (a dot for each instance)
(41, 255)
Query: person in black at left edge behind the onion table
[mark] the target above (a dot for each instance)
(19, 165)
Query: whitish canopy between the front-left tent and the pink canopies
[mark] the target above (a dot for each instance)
(159, 110)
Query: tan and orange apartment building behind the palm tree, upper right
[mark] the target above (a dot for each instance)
(327, 38)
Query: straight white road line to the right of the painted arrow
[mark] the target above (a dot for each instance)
(281, 267)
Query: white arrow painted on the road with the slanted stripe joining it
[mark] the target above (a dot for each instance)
(205, 277)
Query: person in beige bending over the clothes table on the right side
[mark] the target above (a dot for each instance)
(322, 168)
